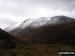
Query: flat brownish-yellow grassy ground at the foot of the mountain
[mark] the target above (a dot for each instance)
(36, 50)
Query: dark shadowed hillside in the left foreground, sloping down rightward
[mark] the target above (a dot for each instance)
(7, 40)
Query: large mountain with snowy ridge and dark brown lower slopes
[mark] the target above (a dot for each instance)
(58, 29)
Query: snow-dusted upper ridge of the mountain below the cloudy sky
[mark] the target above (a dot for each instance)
(39, 22)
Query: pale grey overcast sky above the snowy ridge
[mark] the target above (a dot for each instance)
(16, 11)
